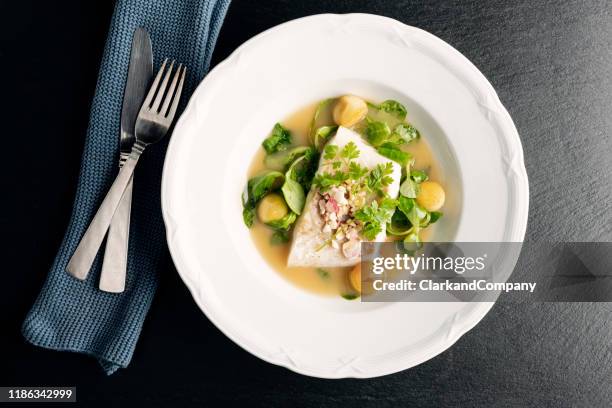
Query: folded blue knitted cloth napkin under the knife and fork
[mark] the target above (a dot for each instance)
(75, 316)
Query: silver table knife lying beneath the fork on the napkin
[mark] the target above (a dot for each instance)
(114, 267)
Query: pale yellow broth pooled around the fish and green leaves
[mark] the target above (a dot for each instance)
(330, 281)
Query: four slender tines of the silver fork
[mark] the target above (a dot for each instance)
(163, 95)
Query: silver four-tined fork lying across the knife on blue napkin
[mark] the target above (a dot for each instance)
(154, 120)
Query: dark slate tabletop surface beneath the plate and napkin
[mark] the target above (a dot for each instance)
(551, 64)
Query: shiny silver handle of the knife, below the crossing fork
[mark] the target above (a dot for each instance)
(114, 266)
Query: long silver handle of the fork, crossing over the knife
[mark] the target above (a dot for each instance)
(85, 253)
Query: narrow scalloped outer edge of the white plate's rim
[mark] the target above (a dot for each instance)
(474, 314)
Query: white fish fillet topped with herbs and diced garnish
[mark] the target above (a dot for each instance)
(308, 238)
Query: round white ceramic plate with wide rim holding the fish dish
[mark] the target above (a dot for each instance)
(263, 81)
